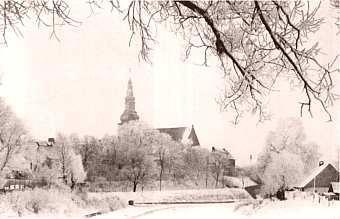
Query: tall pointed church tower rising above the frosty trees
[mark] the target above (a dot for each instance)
(130, 111)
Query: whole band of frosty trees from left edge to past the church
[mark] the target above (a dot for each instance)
(138, 154)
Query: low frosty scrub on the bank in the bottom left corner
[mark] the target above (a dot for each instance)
(55, 202)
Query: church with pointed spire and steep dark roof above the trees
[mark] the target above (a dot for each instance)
(181, 134)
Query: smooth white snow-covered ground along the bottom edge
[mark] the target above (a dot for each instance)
(279, 209)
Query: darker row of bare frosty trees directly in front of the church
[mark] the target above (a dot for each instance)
(140, 155)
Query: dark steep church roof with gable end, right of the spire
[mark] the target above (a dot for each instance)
(181, 134)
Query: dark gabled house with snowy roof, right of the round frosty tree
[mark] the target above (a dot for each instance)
(320, 179)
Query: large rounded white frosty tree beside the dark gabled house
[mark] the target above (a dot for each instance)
(286, 157)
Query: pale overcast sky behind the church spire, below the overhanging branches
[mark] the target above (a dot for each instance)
(78, 85)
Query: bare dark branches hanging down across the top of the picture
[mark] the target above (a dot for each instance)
(257, 44)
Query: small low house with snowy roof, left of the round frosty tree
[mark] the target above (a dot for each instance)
(242, 182)
